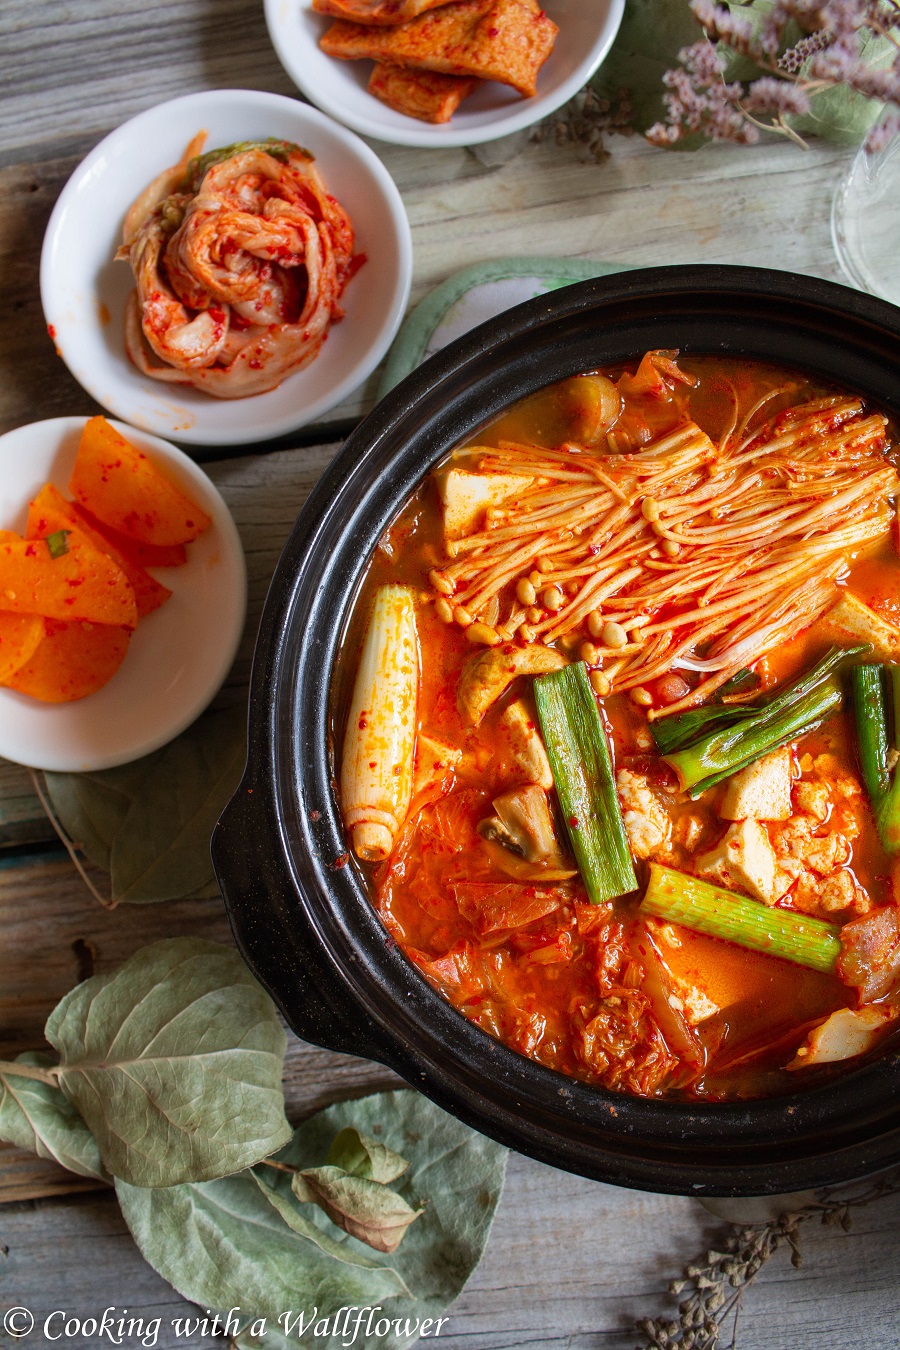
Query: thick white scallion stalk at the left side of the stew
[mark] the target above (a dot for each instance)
(380, 745)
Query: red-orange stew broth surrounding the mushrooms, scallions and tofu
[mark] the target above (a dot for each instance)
(530, 961)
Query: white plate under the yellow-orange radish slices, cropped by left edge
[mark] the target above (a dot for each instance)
(179, 655)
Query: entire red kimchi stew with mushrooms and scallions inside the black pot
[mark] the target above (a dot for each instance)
(620, 750)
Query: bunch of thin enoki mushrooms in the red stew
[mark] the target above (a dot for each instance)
(683, 556)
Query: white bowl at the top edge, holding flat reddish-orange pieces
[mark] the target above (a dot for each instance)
(588, 32)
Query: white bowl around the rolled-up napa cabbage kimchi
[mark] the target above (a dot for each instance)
(84, 291)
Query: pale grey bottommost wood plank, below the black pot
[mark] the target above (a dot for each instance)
(571, 1266)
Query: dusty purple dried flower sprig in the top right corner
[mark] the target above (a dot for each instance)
(831, 55)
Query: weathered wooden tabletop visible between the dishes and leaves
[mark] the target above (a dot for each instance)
(570, 1264)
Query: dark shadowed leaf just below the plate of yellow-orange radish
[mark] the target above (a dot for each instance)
(149, 823)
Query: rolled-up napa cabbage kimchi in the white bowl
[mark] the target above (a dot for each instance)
(240, 259)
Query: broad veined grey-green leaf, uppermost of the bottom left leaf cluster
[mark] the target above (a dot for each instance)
(175, 1063)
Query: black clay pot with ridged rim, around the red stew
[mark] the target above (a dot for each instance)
(299, 908)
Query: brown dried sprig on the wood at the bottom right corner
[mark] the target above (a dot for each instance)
(712, 1291)
